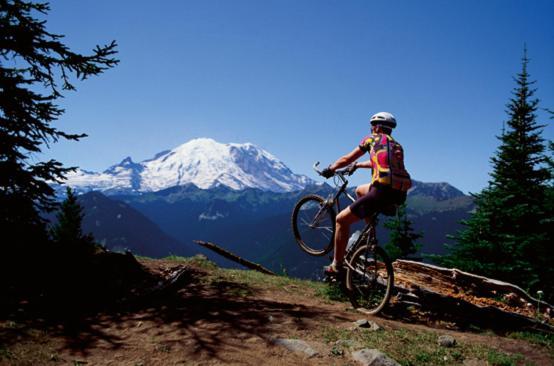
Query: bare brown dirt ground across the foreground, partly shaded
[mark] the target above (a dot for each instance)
(207, 320)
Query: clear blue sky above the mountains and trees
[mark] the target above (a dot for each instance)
(300, 78)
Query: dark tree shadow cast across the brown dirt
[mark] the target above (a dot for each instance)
(203, 314)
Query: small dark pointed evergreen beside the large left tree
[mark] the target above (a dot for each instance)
(68, 229)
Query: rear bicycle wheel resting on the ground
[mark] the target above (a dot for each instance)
(370, 280)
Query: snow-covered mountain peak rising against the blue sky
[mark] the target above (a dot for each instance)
(202, 162)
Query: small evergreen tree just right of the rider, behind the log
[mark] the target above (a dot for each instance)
(402, 237)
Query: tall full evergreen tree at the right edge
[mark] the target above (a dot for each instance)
(508, 236)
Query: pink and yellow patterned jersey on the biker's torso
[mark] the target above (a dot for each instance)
(387, 161)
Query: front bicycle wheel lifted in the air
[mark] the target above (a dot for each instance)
(313, 225)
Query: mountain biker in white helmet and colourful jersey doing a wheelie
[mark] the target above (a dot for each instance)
(389, 183)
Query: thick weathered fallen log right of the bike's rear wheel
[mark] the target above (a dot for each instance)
(468, 298)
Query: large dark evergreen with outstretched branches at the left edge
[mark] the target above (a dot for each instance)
(35, 67)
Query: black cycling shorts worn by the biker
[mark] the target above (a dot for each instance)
(377, 199)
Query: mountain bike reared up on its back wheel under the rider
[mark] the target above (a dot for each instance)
(369, 276)
